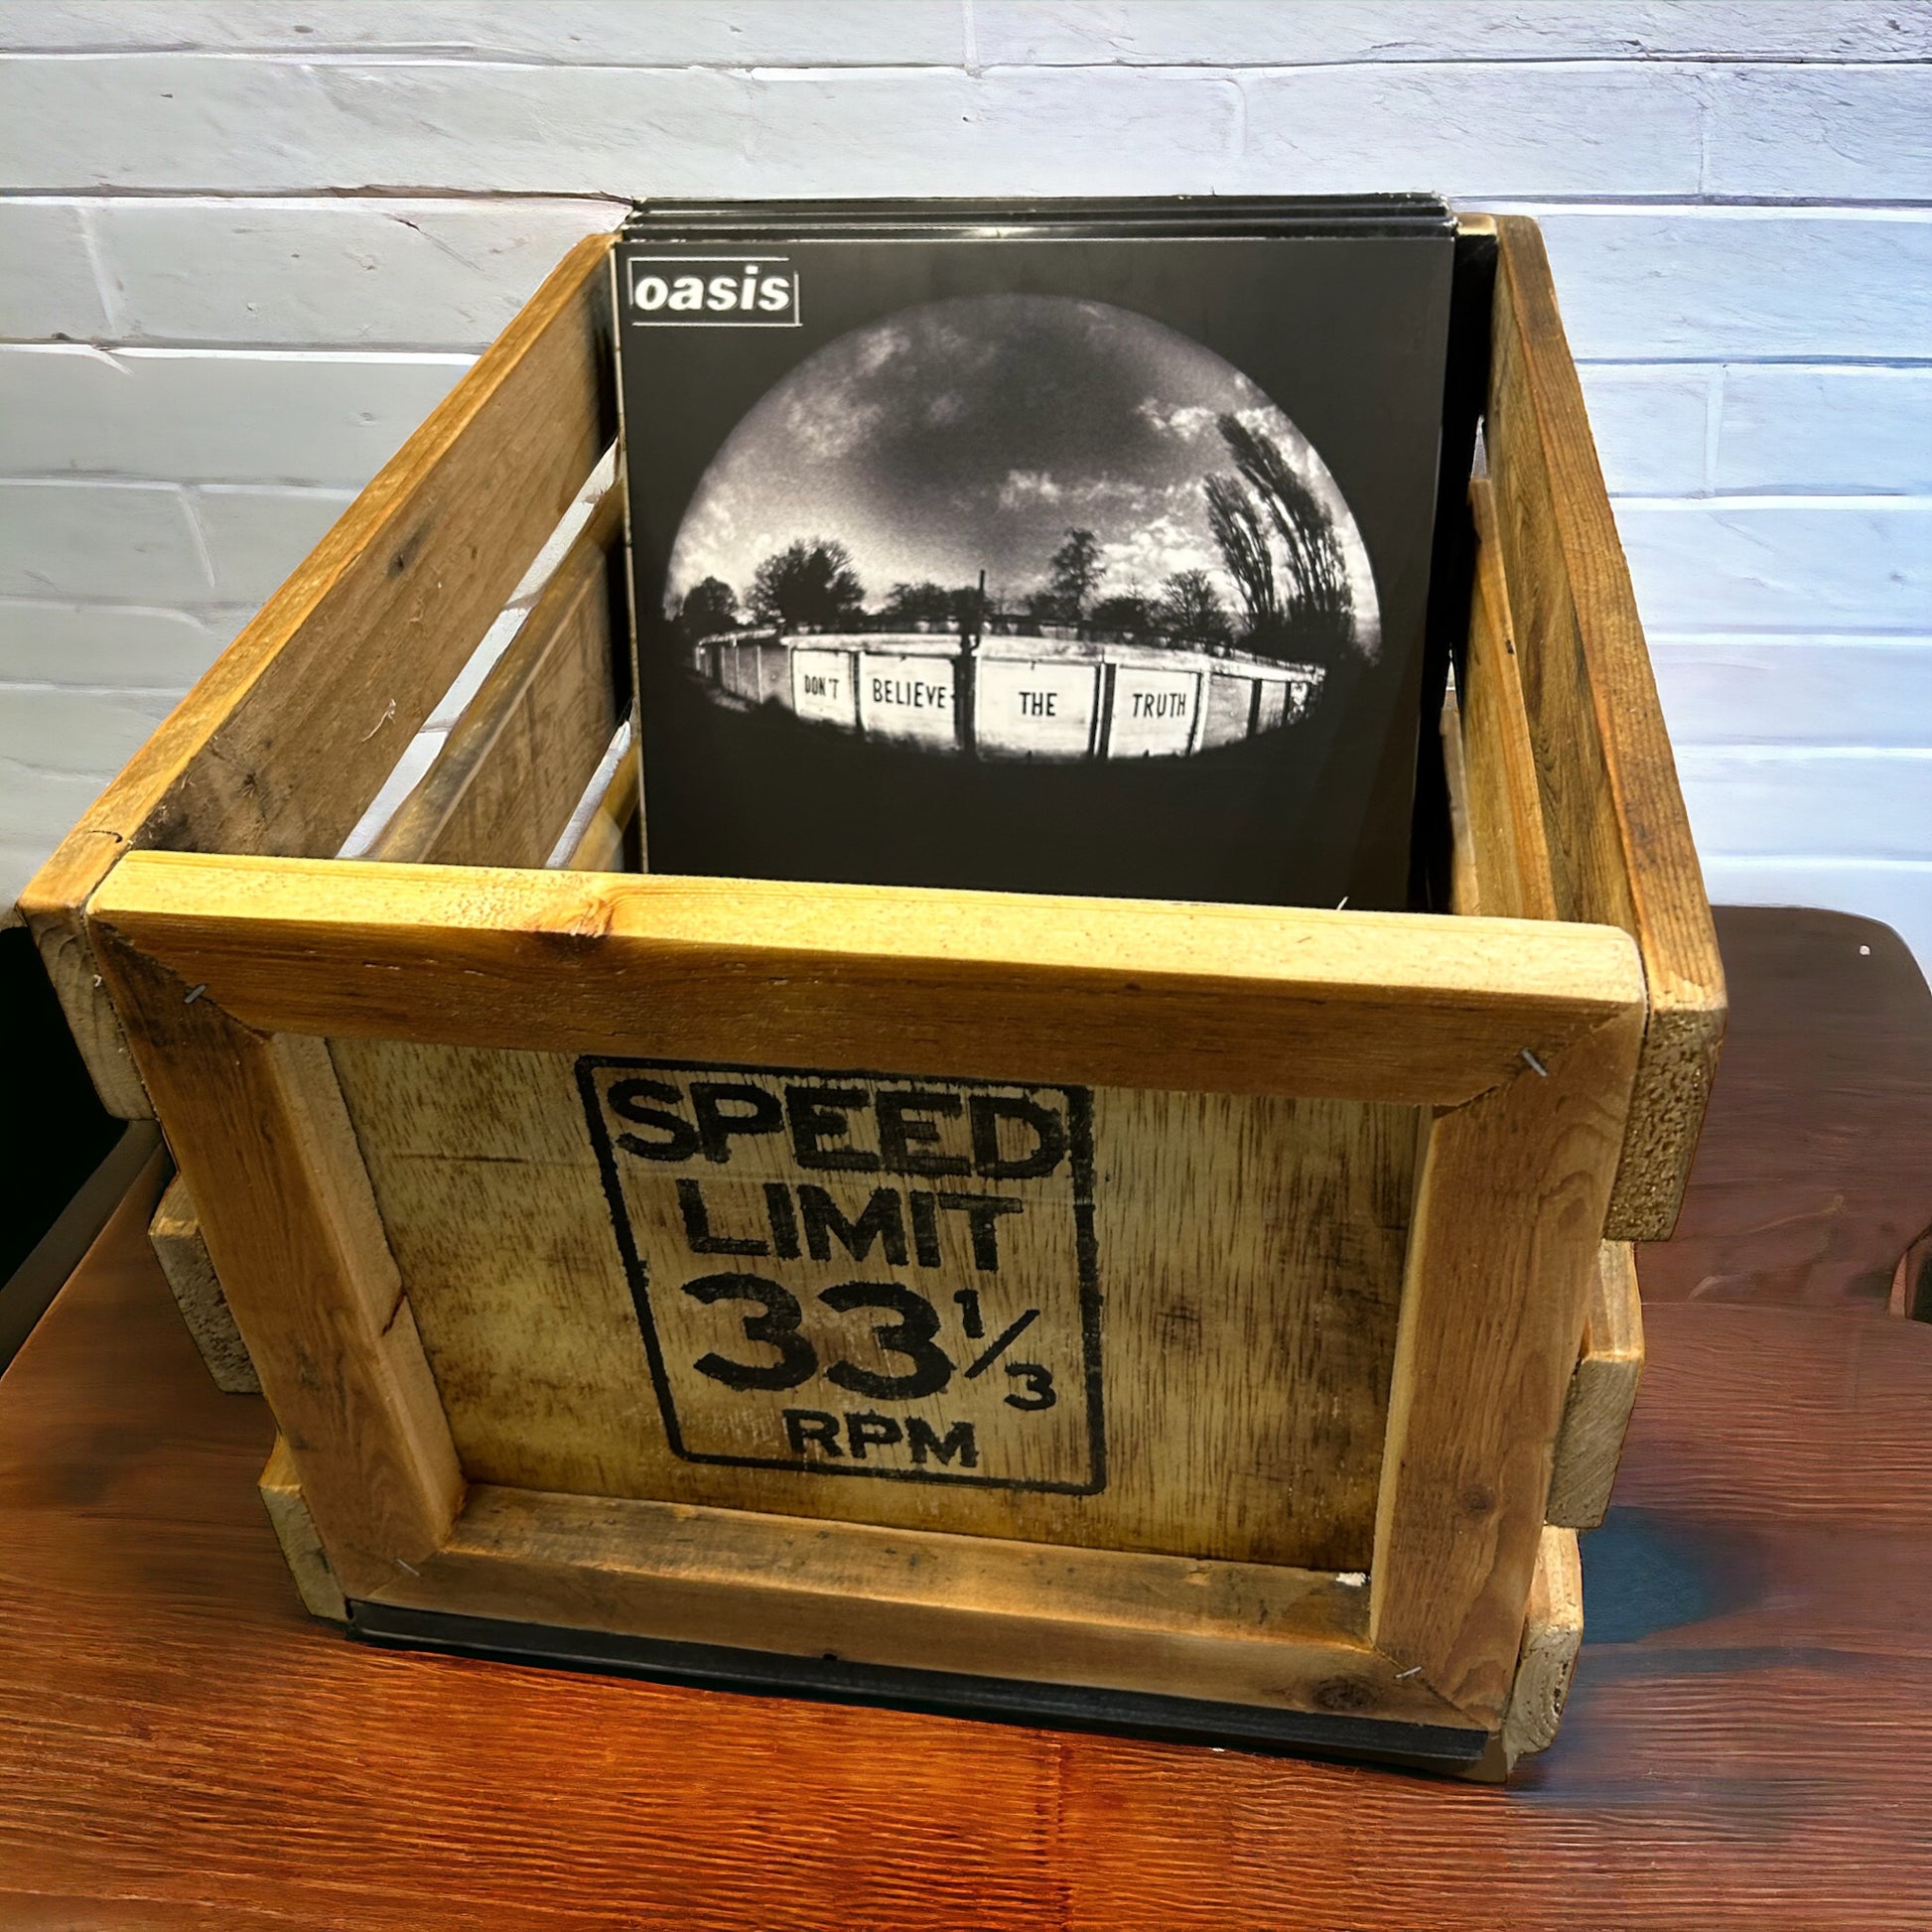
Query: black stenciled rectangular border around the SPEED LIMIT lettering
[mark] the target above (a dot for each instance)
(1087, 1247)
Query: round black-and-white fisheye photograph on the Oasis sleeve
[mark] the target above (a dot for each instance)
(1023, 528)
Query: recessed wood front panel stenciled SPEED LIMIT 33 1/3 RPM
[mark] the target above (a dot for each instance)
(1228, 1268)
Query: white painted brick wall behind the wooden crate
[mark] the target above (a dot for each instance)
(248, 244)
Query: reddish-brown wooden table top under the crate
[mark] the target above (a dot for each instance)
(1749, 1740)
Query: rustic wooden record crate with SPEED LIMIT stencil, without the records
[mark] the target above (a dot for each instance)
(1330, 1276)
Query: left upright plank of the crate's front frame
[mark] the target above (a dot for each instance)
(285, 1205)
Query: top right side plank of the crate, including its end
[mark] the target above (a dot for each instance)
(1618, 832)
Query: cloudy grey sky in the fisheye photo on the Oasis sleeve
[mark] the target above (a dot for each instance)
(973, 434)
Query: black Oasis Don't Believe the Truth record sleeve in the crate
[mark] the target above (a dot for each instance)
(1056, 561)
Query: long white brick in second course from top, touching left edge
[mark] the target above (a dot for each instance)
(202, 125)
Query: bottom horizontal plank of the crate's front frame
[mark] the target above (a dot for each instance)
(1239, 1632)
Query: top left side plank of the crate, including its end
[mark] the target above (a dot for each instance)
(289, 737)
